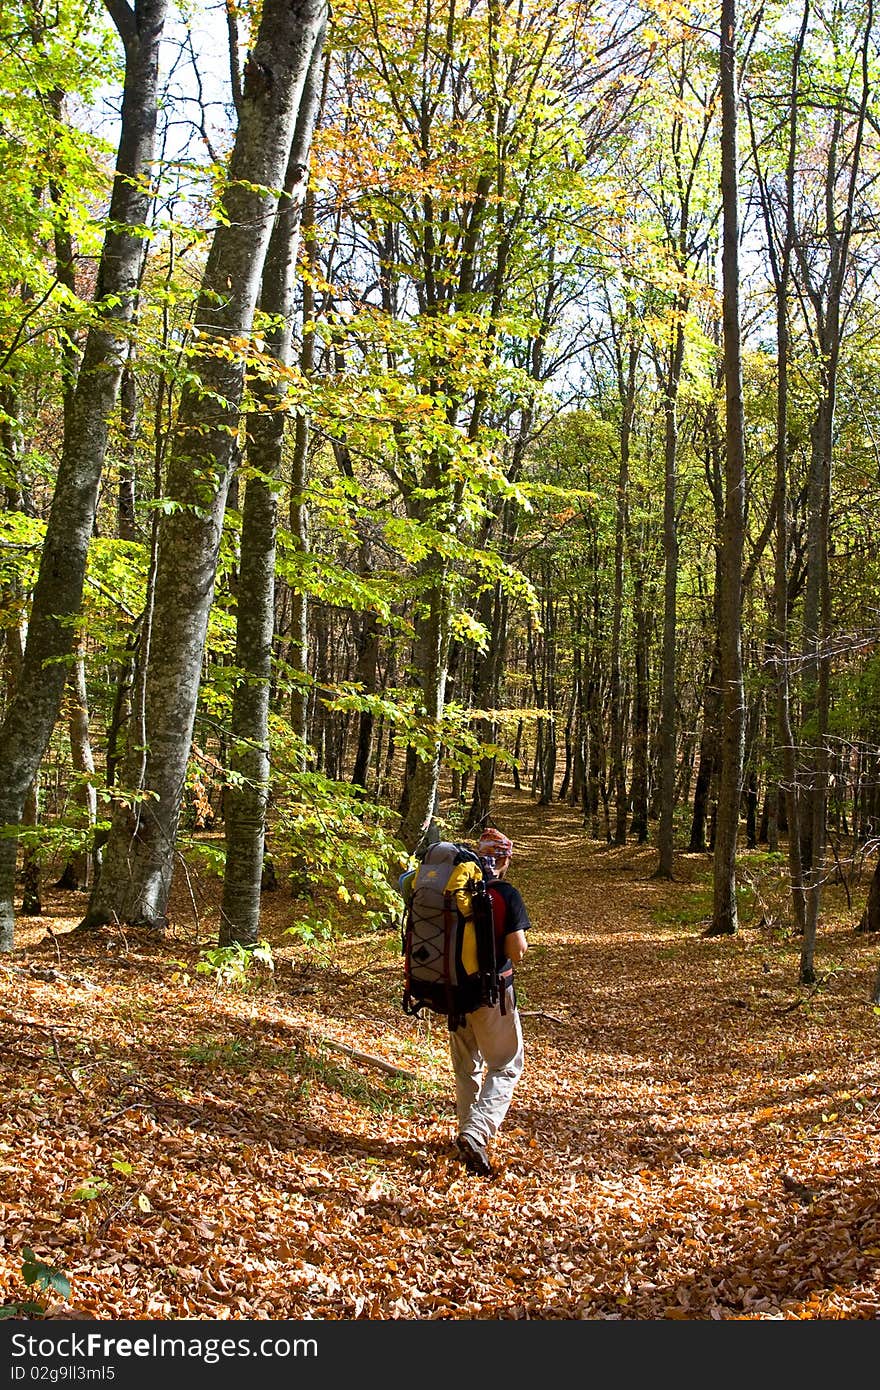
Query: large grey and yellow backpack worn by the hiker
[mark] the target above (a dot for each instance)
(450, 960)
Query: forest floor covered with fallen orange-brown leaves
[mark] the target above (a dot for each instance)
(696, 1136)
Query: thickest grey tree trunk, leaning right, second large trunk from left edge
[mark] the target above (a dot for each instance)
(140, 858)
